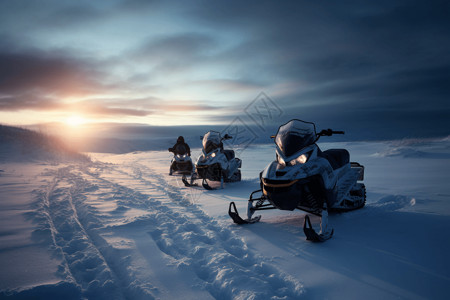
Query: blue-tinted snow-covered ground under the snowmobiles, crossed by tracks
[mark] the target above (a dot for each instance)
(122, 228)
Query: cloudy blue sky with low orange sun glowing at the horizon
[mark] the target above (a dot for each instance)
(372, 67)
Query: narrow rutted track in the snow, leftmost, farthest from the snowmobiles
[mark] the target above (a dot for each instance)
(84, 264)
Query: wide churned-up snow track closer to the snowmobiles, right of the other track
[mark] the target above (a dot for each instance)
(194, 241)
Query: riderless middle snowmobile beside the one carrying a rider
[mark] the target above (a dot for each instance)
(215, 163)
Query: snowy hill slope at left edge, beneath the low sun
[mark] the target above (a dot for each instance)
(18, 144)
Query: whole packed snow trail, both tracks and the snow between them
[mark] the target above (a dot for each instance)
(100, 216)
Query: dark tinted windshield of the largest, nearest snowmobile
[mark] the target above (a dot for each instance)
(294, 136)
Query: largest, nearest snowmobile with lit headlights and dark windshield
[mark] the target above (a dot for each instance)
(303, 177)
